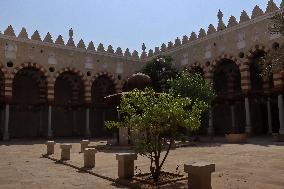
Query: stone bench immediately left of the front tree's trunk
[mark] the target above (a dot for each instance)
(126, 165)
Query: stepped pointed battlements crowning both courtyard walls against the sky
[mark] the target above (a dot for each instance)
(180, 42)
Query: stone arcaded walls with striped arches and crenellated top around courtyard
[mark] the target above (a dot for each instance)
(50, 88)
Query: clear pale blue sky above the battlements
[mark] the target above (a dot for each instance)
(120, 23)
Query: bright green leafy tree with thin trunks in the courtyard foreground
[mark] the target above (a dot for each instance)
(156, 119)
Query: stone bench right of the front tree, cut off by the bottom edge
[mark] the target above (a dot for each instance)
(199, 175)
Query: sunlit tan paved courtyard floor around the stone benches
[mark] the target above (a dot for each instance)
(259, 164)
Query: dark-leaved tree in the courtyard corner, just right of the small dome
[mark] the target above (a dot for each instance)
(160, 70)
